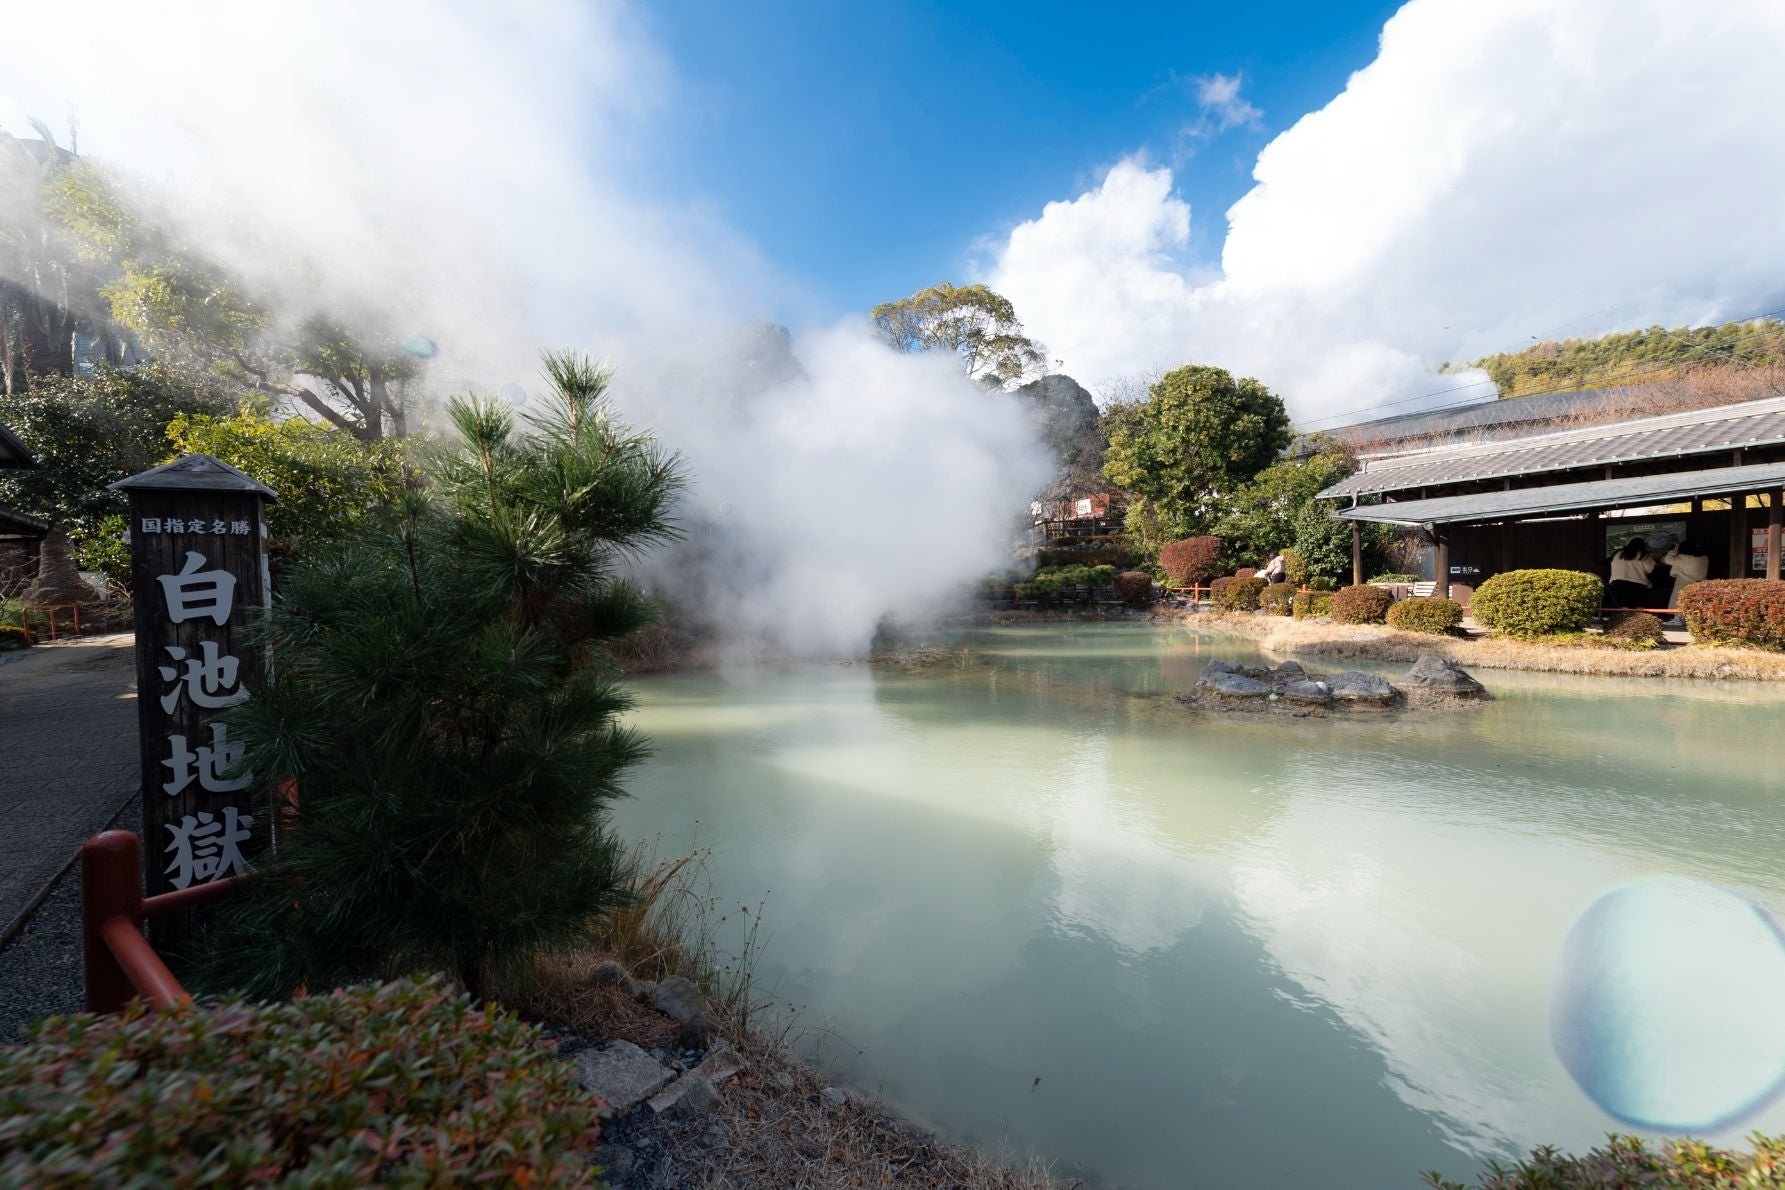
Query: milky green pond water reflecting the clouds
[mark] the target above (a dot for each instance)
(1234, 952)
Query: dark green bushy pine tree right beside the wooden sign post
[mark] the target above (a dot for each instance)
(445, 707)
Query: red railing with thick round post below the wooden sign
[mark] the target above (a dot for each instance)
(120, 964)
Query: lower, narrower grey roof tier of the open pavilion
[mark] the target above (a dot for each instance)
(1523, 502)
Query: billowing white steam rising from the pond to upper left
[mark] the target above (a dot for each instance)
(465, 172)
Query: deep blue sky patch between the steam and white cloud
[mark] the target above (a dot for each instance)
(867, 147)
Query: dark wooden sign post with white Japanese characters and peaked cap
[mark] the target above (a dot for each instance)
(199, 568)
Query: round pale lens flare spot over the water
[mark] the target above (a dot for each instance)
(1666, 1005)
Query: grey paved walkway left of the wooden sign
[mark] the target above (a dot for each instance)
(67, 759)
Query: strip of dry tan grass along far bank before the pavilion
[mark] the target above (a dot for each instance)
(1377, 643)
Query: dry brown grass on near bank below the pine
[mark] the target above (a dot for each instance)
(777, 1128)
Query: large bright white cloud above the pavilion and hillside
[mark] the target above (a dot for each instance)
(1500, 172)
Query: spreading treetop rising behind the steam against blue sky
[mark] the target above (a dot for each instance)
(970, 322)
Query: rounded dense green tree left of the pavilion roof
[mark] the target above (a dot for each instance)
(1183, 452)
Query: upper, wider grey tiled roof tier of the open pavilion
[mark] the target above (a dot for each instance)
(1725, 427)
